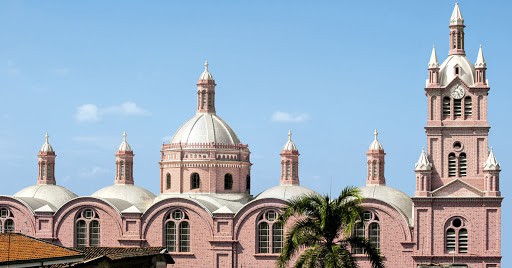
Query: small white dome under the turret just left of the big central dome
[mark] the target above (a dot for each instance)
(135, 195)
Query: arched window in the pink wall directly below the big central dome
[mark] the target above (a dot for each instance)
(177, 239)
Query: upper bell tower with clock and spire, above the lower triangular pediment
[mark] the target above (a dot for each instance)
(457, 128)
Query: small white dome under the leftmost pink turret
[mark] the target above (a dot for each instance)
(56, 195)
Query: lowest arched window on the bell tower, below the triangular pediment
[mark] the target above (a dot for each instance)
(456, 239)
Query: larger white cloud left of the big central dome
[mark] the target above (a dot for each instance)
(93, 113)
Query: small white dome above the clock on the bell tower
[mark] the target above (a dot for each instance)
(447, 70)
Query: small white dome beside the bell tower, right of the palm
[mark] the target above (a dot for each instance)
(396, 198)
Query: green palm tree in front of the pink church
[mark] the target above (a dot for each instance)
(322, 231)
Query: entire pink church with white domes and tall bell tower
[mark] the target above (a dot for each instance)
(206, 215)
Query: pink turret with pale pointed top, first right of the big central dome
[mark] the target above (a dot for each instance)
(290, 163)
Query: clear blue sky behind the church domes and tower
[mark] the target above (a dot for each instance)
(330, 71)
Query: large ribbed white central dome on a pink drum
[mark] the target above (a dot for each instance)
(205, 128)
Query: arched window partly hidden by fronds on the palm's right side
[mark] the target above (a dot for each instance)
(368, 228)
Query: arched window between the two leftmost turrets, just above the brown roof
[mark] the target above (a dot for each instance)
(87, 229)
